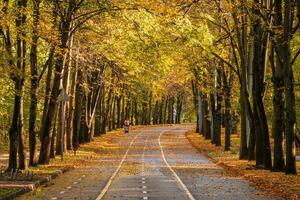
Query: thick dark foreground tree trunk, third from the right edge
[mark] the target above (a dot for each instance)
(259, 64)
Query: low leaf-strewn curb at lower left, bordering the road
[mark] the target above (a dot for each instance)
(35, 185)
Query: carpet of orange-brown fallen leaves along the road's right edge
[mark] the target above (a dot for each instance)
(276, 183)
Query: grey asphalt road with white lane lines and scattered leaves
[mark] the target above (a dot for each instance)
(157, 163)
